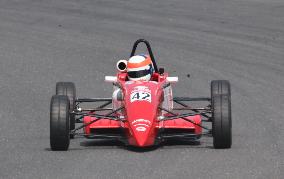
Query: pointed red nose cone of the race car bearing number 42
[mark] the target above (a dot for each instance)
(141, 104)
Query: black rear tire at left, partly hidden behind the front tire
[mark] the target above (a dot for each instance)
(68, 89)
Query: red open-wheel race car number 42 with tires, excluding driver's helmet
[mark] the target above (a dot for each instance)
(141, 113)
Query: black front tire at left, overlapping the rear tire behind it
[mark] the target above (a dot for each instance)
(59, 123)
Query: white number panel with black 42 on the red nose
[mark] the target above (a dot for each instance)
(140, 93)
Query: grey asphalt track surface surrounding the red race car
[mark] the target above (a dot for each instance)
(42, 42)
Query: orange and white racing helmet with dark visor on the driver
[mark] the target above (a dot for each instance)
(140, 68)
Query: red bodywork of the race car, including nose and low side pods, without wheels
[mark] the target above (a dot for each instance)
(142, 115)
